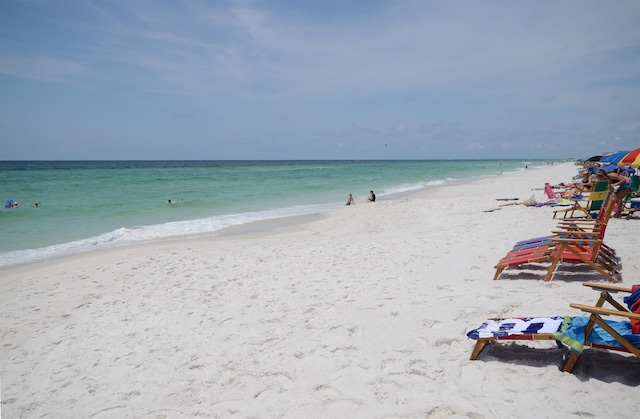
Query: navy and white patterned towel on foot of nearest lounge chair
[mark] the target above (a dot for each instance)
(514, 327)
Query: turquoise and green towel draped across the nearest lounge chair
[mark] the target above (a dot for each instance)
(572, 333)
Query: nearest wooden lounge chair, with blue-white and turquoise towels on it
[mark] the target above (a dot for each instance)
(573, 332)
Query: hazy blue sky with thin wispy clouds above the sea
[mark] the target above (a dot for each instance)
(295, 79)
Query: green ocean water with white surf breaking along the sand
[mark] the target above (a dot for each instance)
(87, 205)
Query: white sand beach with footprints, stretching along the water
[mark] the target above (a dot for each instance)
(361, 314)
